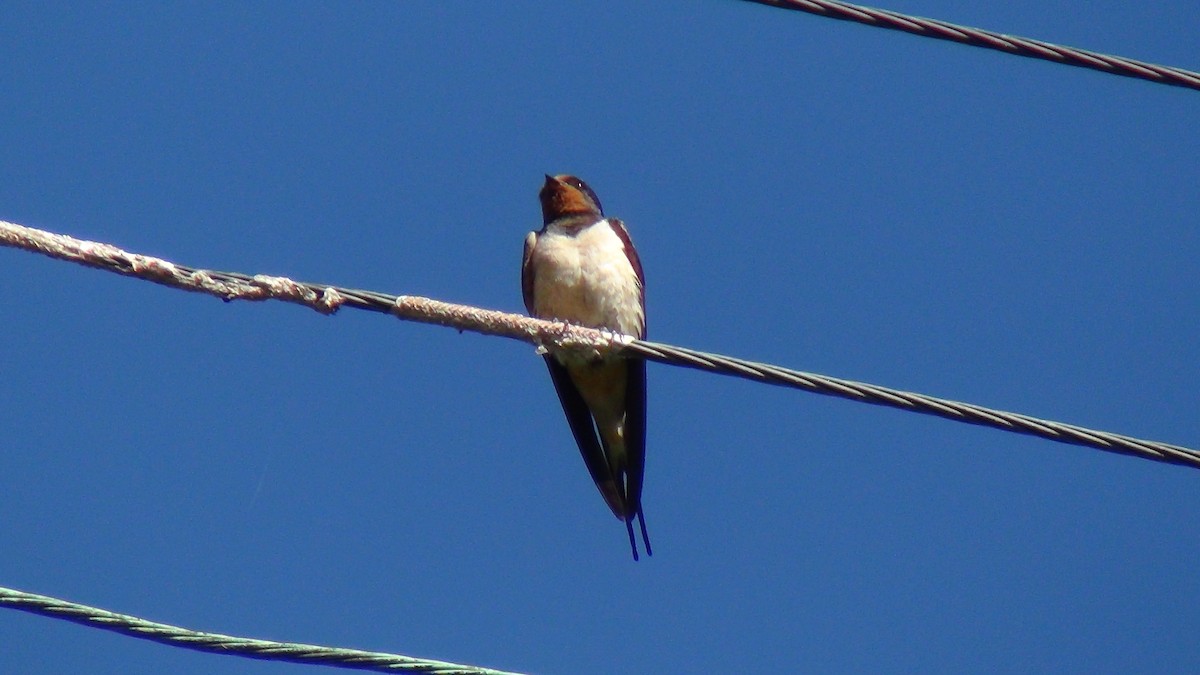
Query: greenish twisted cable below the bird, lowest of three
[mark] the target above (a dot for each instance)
(217, 643)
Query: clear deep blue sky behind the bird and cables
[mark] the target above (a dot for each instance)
(809, 193)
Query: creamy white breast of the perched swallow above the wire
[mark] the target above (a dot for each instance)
(587, 279)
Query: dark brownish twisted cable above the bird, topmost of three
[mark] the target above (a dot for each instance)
(989, 40)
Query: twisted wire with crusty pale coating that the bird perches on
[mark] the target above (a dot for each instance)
(557, 336)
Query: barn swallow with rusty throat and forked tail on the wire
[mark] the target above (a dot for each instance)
(581, 268)
